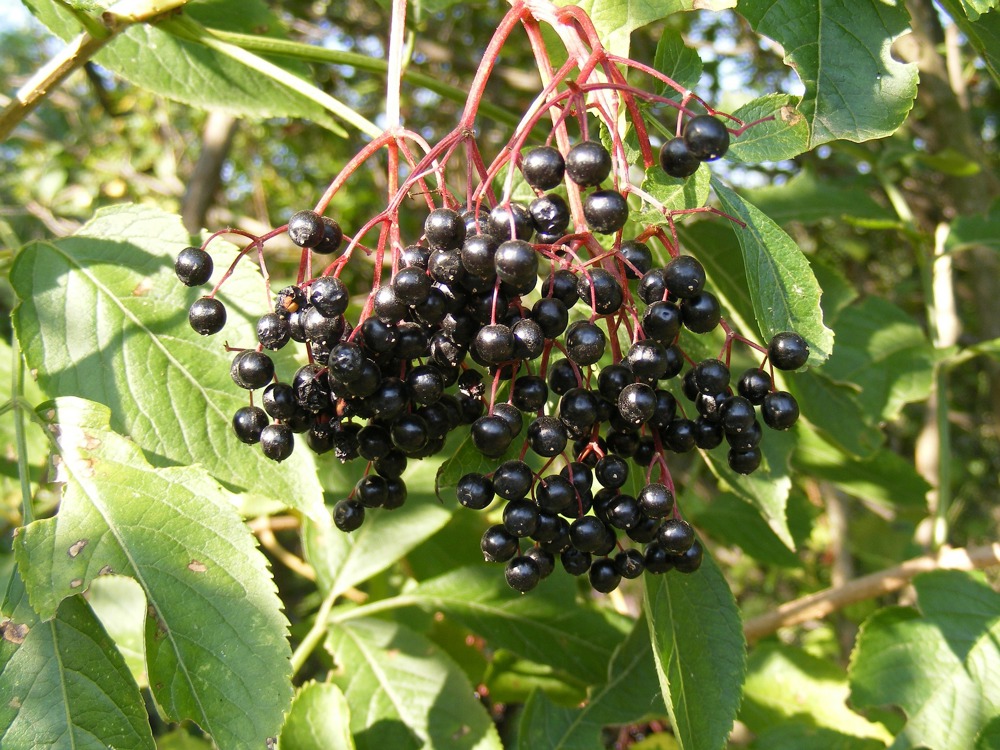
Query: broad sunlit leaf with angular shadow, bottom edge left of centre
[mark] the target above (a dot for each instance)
(404, 692)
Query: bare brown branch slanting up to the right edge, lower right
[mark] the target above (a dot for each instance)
(822, 603)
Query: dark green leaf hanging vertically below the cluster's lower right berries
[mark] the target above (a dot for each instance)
(700, 652)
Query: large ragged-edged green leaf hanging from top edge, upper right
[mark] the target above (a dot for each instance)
(854, 89)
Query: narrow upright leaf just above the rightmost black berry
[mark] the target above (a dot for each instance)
(782, 286)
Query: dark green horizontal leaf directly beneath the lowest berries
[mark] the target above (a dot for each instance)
(548, 628)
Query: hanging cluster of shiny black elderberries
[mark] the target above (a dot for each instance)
(495, 320)
